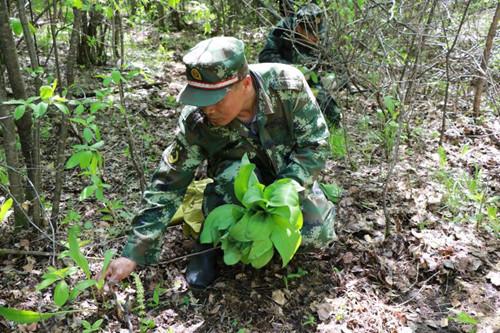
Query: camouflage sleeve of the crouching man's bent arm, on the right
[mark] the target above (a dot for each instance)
(311, 138)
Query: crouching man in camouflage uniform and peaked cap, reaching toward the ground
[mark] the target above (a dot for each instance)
(266, 111)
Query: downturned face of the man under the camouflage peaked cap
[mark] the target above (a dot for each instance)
(227, 109)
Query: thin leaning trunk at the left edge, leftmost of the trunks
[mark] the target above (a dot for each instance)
(14, 172)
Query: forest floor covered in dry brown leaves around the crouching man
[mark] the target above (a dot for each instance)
(437, 272)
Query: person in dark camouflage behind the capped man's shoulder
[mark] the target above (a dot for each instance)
(295, 40)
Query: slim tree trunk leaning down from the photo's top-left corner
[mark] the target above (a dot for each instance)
(24, 125)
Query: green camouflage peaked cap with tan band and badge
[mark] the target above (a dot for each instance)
(212, 66)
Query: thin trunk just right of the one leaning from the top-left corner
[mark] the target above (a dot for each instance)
(30, 43)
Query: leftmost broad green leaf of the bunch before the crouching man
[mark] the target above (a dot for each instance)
(219, 219)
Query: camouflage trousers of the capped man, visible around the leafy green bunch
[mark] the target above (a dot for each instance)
(318, 212)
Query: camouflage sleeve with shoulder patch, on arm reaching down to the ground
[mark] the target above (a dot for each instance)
(161, 200)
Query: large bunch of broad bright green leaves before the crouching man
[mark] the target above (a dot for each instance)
(269, 218)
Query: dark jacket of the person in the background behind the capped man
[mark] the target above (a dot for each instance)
(283, 46)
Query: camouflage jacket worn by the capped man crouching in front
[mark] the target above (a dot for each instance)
(290, 141)
